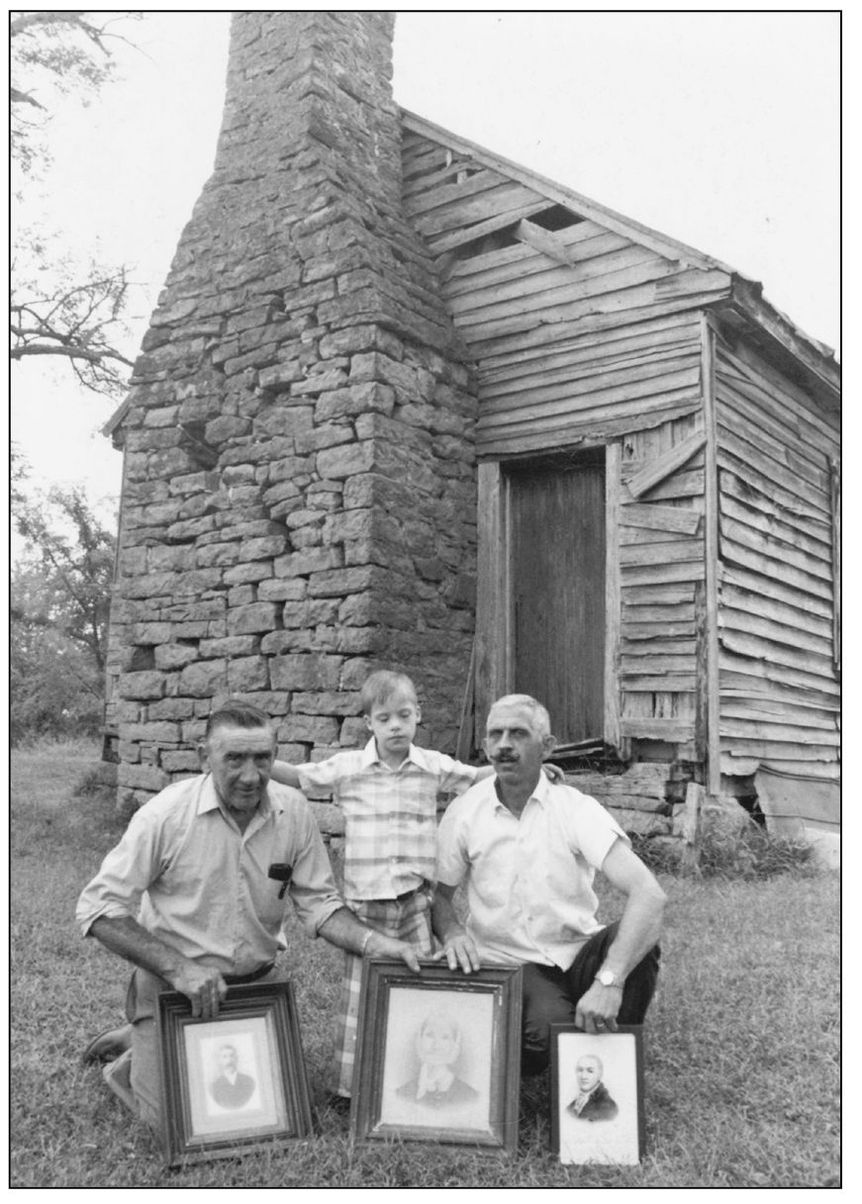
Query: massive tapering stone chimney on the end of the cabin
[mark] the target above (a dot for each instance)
(299, 499)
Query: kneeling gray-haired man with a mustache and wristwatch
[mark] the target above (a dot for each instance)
(529, 851)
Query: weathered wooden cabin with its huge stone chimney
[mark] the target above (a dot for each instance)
(405, 403)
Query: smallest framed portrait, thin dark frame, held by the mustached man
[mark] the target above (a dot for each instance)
(598, 1095)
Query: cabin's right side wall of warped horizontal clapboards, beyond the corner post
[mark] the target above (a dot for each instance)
(778, 684)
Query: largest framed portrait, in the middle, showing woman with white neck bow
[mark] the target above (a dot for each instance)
(439, 1057)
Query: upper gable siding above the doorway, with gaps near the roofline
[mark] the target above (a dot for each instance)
(576, 330)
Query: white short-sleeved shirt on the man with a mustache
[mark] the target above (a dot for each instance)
(530, 880)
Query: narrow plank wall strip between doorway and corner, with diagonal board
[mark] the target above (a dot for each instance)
(663, 569)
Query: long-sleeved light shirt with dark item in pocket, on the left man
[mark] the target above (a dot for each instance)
(188, 876)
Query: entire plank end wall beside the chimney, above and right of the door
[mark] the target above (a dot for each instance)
(581, 334)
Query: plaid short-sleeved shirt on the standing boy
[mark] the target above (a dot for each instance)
(391, 816)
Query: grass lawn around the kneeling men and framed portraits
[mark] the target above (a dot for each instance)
(742, 1043)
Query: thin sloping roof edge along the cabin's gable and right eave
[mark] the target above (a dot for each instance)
(745, 305)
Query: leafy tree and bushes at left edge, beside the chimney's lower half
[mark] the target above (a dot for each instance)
(60, 603)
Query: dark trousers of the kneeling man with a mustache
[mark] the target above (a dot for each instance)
(551, 995)
